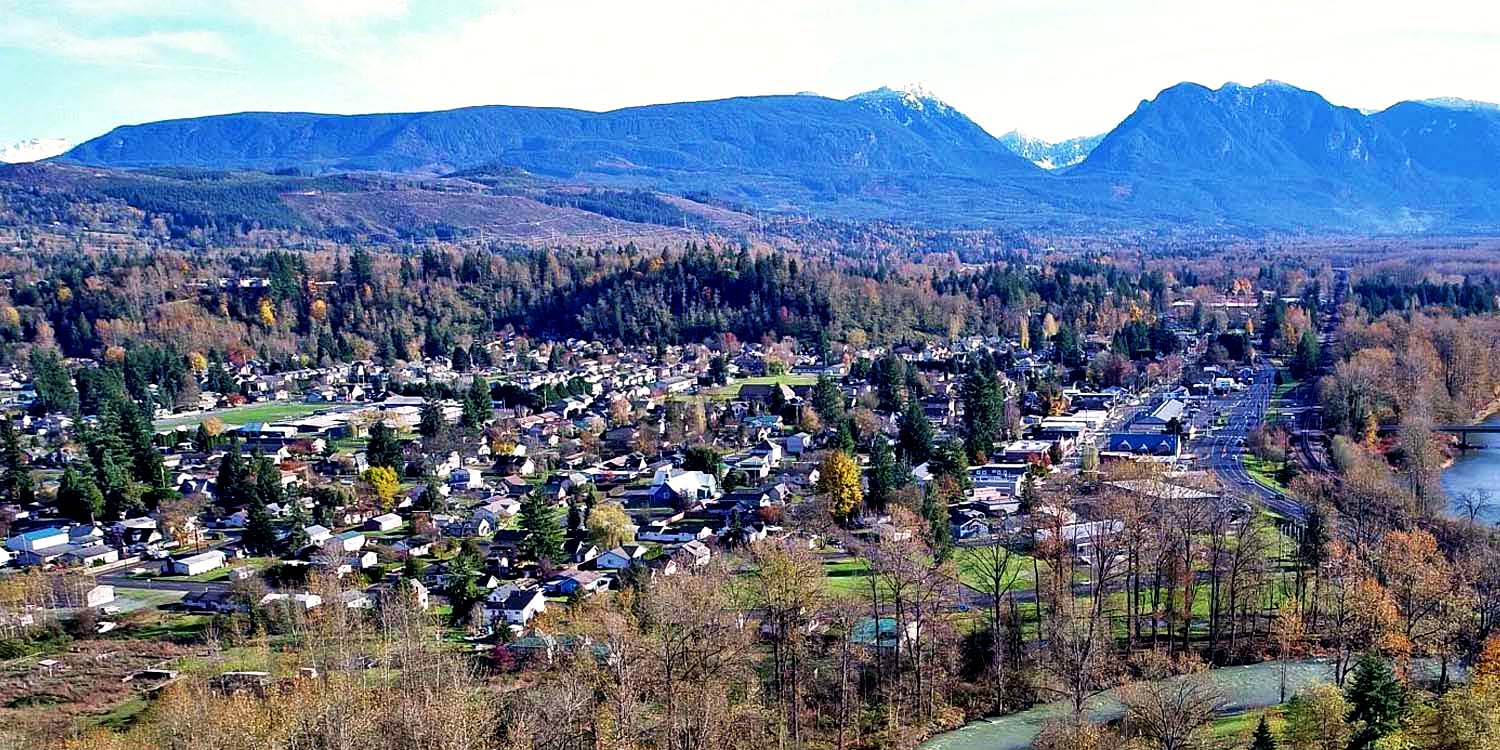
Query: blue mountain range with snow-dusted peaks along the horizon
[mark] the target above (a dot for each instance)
(1268, 157)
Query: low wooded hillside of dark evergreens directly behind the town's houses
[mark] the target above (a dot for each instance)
(299, 308)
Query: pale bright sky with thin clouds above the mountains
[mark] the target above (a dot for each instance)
(1051, 68)
